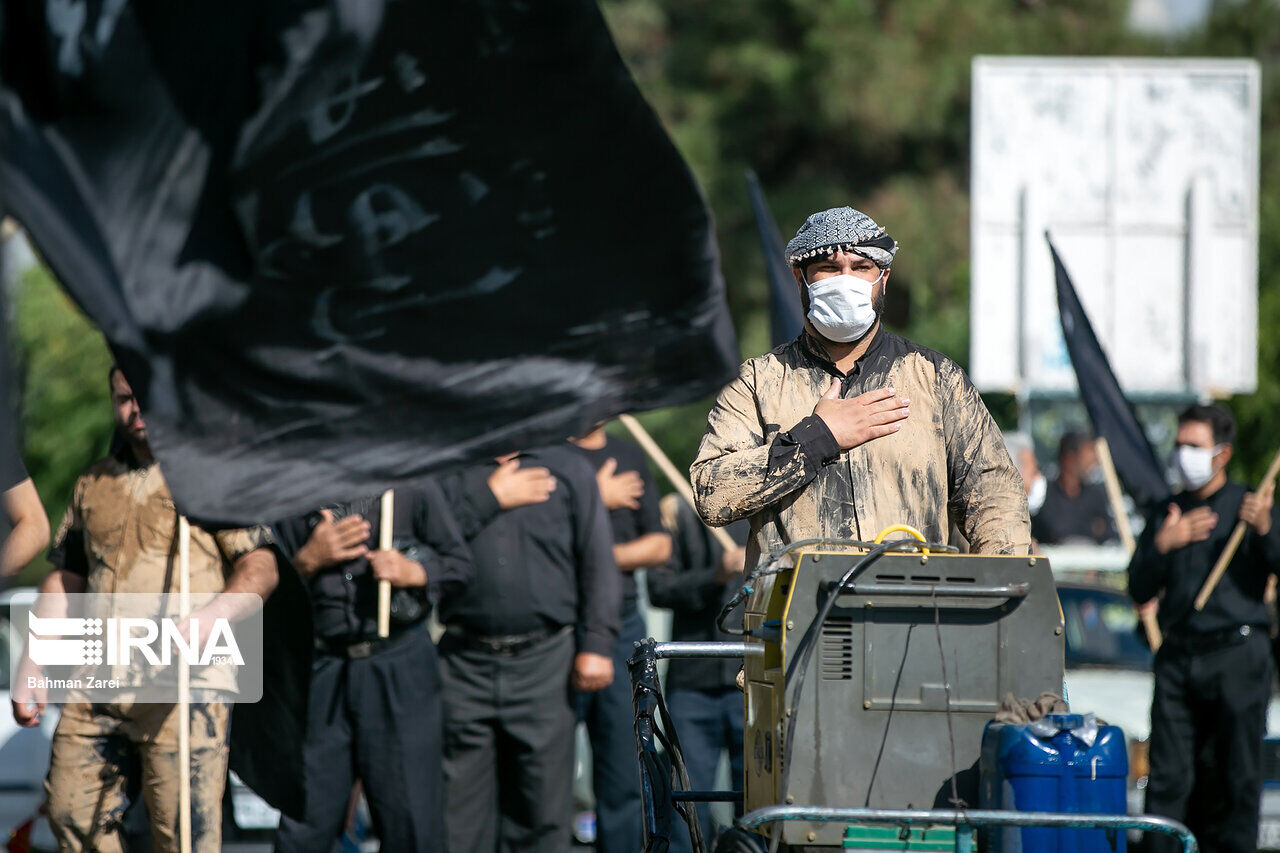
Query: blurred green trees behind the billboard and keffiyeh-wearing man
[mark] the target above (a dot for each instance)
(867, 103)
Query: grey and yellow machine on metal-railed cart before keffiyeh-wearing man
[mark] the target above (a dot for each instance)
(871, 672)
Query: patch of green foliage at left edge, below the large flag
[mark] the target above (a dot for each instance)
(66, 409)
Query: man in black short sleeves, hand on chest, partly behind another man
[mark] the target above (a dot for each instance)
(639, 541)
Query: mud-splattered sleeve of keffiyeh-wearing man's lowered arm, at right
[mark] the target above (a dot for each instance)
(988, 499)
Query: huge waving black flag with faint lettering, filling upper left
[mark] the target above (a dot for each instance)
(337, 245)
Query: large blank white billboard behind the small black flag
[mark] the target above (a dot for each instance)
(1146, 175)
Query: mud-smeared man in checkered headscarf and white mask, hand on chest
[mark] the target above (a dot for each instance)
(852, 428)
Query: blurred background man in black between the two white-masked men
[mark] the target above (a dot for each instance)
(1076, 504)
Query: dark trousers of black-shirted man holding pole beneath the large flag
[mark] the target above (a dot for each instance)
(376, 719)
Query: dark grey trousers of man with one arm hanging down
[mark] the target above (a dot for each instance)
(509, 747)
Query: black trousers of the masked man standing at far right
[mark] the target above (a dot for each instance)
(1208, 722)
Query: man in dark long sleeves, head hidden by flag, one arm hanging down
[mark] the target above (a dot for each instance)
(541, 618)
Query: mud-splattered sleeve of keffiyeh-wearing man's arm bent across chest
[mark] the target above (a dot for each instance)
(737, 473)
